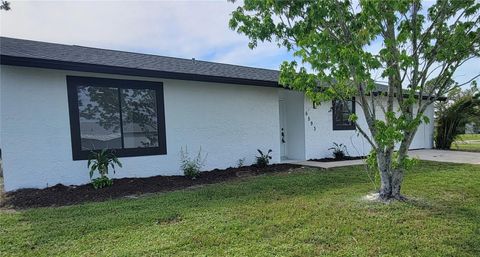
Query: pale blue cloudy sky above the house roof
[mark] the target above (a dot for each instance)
(187, 29)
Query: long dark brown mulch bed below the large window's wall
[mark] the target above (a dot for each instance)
(60, 195)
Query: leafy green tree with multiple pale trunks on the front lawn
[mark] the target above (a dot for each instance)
(421, 48)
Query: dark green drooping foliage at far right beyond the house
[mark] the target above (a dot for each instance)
(453, 115)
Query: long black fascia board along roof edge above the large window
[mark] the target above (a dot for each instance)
(107, 69)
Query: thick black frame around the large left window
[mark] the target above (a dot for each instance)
(73, 82)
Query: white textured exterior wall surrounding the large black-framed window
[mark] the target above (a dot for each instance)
(229, 122)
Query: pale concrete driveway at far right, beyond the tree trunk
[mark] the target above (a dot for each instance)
(446, 156)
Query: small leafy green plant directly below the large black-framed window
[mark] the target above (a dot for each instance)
(101, 161)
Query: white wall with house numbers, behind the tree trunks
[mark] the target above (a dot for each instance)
(319, 133)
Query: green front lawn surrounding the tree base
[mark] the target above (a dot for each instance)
(305, 213)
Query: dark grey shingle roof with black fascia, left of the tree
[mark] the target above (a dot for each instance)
(71, 57)
